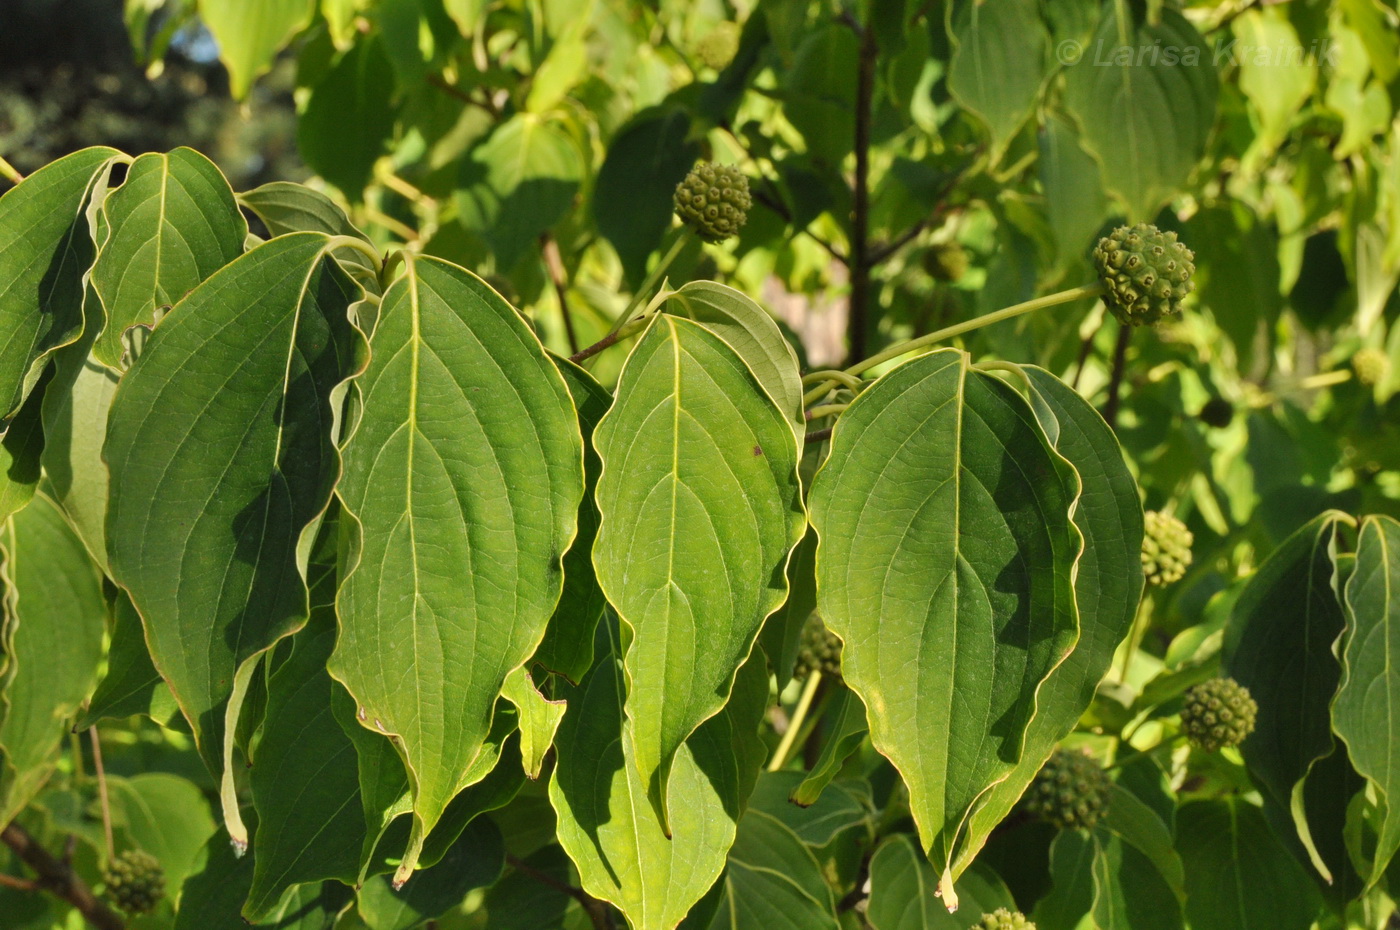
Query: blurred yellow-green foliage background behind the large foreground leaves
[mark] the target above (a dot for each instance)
(913, 166)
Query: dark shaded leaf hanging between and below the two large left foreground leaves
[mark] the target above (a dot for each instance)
(306, 784)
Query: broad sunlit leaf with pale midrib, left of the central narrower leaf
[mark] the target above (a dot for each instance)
(463, 484)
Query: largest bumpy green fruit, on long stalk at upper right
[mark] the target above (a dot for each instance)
(1147, 274)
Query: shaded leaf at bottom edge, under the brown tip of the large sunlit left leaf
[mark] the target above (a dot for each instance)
(474, 862)
